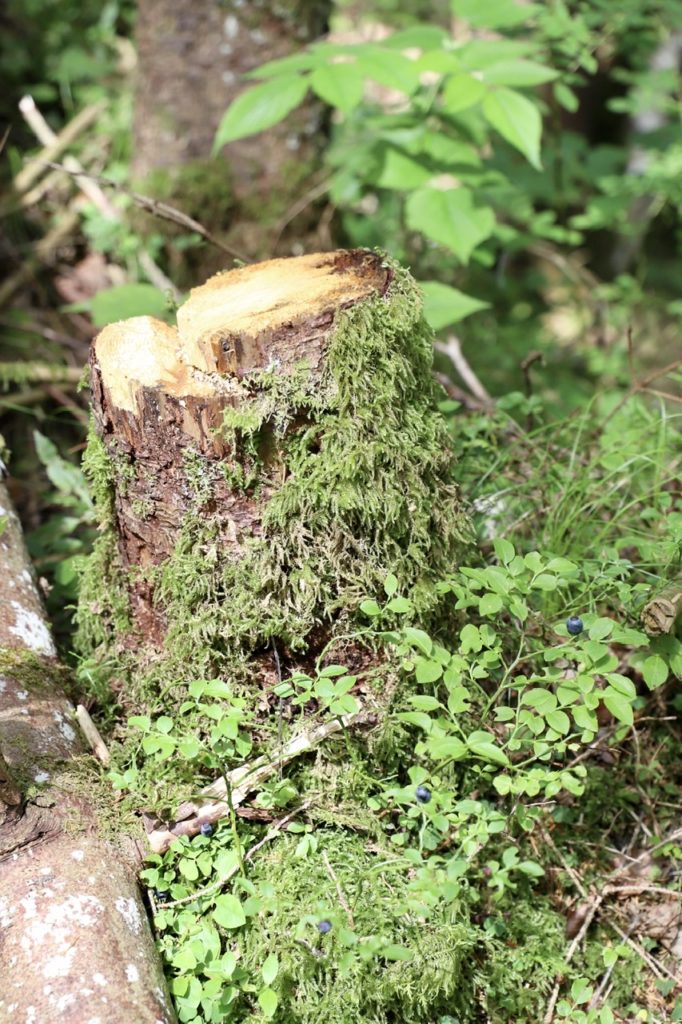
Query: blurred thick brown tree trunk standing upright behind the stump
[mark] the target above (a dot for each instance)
(193, 56)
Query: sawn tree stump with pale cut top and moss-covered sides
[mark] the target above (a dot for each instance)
(263, 466)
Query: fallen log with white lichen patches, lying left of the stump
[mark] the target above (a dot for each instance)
(75, 944)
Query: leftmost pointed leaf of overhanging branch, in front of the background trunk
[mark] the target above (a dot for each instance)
(261, 108)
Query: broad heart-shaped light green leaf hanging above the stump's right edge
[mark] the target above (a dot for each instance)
(450, 219)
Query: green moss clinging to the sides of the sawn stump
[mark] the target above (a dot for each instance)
(359, 470)
